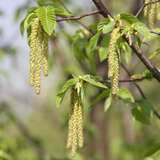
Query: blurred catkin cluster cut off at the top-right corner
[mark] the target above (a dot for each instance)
(150, 11)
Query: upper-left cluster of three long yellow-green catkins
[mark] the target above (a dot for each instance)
(38, 52)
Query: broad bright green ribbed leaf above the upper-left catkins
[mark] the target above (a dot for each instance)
(47, 18)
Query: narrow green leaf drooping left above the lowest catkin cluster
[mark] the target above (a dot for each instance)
(61, 94)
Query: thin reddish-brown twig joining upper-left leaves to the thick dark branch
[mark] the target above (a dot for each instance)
(78, 18)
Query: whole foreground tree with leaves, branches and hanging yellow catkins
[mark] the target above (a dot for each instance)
(114, 43)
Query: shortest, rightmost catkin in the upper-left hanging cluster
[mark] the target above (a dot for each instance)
(45, 53)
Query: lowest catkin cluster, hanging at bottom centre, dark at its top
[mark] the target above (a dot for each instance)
(75, 134)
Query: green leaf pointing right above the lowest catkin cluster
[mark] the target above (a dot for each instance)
(92, 80)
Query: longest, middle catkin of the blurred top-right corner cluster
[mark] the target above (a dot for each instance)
(151, 15)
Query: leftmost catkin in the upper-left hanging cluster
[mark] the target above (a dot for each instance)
(33, 39)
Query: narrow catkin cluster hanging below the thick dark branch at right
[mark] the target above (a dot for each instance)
(113, 61)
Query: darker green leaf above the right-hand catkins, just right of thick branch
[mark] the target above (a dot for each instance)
(128, 18)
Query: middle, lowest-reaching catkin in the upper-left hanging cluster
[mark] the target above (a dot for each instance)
(38, 61)
